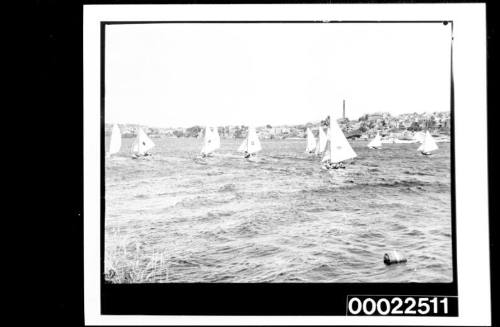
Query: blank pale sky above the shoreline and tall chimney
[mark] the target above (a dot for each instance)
(181, 75)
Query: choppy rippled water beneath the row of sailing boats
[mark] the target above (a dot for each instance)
(283, 219)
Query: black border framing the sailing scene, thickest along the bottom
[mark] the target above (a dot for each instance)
(252, 298)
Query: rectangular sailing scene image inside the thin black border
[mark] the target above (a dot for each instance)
(196, 99)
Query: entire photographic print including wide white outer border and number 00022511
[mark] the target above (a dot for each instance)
(286, 144)
